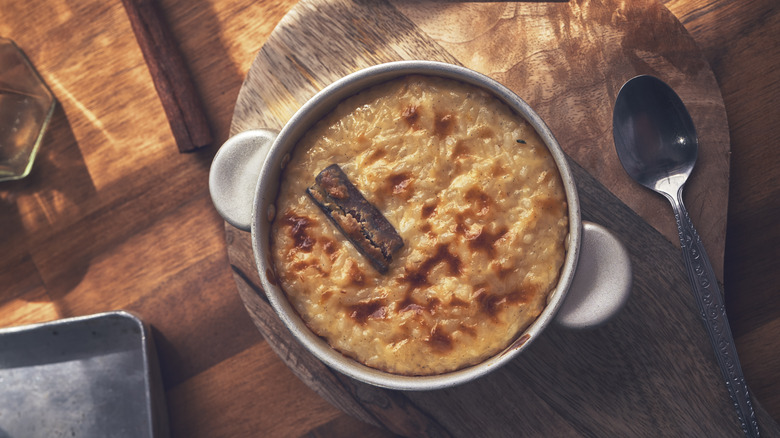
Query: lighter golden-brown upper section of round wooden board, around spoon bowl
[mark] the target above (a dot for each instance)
(570, 76)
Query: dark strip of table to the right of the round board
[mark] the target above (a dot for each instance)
(744, 52)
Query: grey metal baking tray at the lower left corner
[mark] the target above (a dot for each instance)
(91, 376)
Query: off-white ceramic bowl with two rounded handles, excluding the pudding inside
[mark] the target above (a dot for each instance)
(245, 198)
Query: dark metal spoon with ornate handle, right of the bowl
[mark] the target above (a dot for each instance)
(657, 145)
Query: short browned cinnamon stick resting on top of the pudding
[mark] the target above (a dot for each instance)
(360, 221)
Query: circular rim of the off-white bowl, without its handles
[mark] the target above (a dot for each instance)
(264, 209)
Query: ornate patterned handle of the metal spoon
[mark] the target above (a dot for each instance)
(713, 313)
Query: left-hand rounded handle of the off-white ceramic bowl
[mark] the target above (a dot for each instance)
(234, 173)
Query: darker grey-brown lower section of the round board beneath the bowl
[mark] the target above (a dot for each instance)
(662, 377)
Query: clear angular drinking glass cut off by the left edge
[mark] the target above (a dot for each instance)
(26, 107)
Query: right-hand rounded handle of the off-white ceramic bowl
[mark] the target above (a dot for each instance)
(601, 283)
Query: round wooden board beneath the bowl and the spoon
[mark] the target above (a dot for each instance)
(649, 372)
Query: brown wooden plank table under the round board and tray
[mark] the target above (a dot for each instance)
(113, 217)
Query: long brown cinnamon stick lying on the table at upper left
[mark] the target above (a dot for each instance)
(170, 75)
